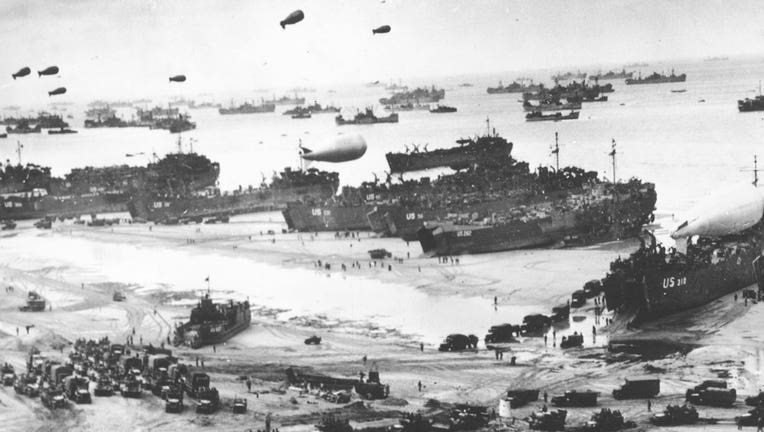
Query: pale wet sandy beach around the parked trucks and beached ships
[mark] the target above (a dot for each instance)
(523, 281)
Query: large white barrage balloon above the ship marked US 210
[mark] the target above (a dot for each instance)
(725, 212)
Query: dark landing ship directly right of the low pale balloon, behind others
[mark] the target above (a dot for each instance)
(469, 151)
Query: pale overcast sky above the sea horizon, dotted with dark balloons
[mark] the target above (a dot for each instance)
(129, 48)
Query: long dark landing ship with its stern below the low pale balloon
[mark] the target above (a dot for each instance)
(196, 204)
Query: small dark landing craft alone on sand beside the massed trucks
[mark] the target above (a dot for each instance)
(212, 323)
